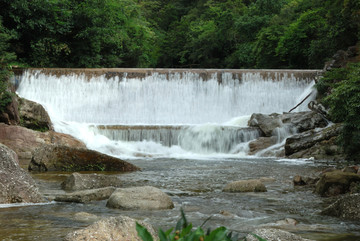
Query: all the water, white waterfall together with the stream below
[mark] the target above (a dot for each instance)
(191, 134)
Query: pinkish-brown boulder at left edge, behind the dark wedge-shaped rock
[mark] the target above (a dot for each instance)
(24, 141)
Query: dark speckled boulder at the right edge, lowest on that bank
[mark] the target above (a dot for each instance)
(347, 207)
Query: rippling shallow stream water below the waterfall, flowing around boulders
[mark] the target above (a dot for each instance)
(196, 186)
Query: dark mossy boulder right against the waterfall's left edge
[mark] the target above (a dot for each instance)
(34, 116)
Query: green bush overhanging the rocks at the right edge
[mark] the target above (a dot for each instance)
(340, 90)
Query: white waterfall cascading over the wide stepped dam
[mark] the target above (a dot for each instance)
(162, 112)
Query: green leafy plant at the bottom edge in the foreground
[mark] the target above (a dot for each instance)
(184, 232)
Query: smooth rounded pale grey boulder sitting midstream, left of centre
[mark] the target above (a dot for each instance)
(144, 198)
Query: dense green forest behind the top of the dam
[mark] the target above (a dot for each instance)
(298, 34)
